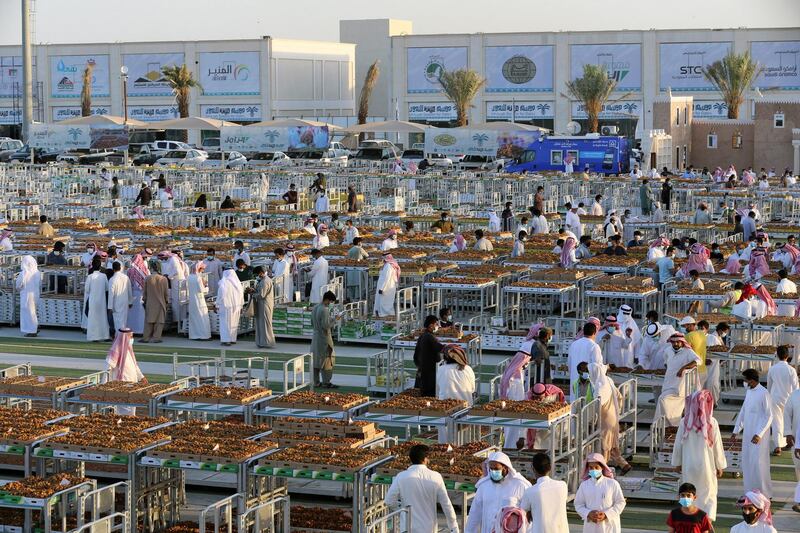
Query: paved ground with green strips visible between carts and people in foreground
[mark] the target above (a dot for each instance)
(65, 352)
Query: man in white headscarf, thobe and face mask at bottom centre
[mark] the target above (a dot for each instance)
(501, 486)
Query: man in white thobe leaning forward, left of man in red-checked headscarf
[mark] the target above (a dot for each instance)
(674, 390)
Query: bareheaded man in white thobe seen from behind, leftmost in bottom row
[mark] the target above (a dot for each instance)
(421, 488)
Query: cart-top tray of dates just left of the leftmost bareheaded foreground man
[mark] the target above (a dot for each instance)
(317, 461)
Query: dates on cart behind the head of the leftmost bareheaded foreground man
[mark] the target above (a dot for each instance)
(460, 466)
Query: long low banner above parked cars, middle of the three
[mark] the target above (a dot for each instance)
(266, 139)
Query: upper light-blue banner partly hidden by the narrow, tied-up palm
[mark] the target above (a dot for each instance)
(66, 76)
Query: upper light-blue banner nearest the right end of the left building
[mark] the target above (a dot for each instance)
(230, 73)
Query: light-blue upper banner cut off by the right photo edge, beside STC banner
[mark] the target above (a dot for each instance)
(780, 60)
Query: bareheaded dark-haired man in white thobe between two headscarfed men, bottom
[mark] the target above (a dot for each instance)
(546, 501)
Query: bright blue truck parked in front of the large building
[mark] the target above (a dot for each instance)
(602, 154)
